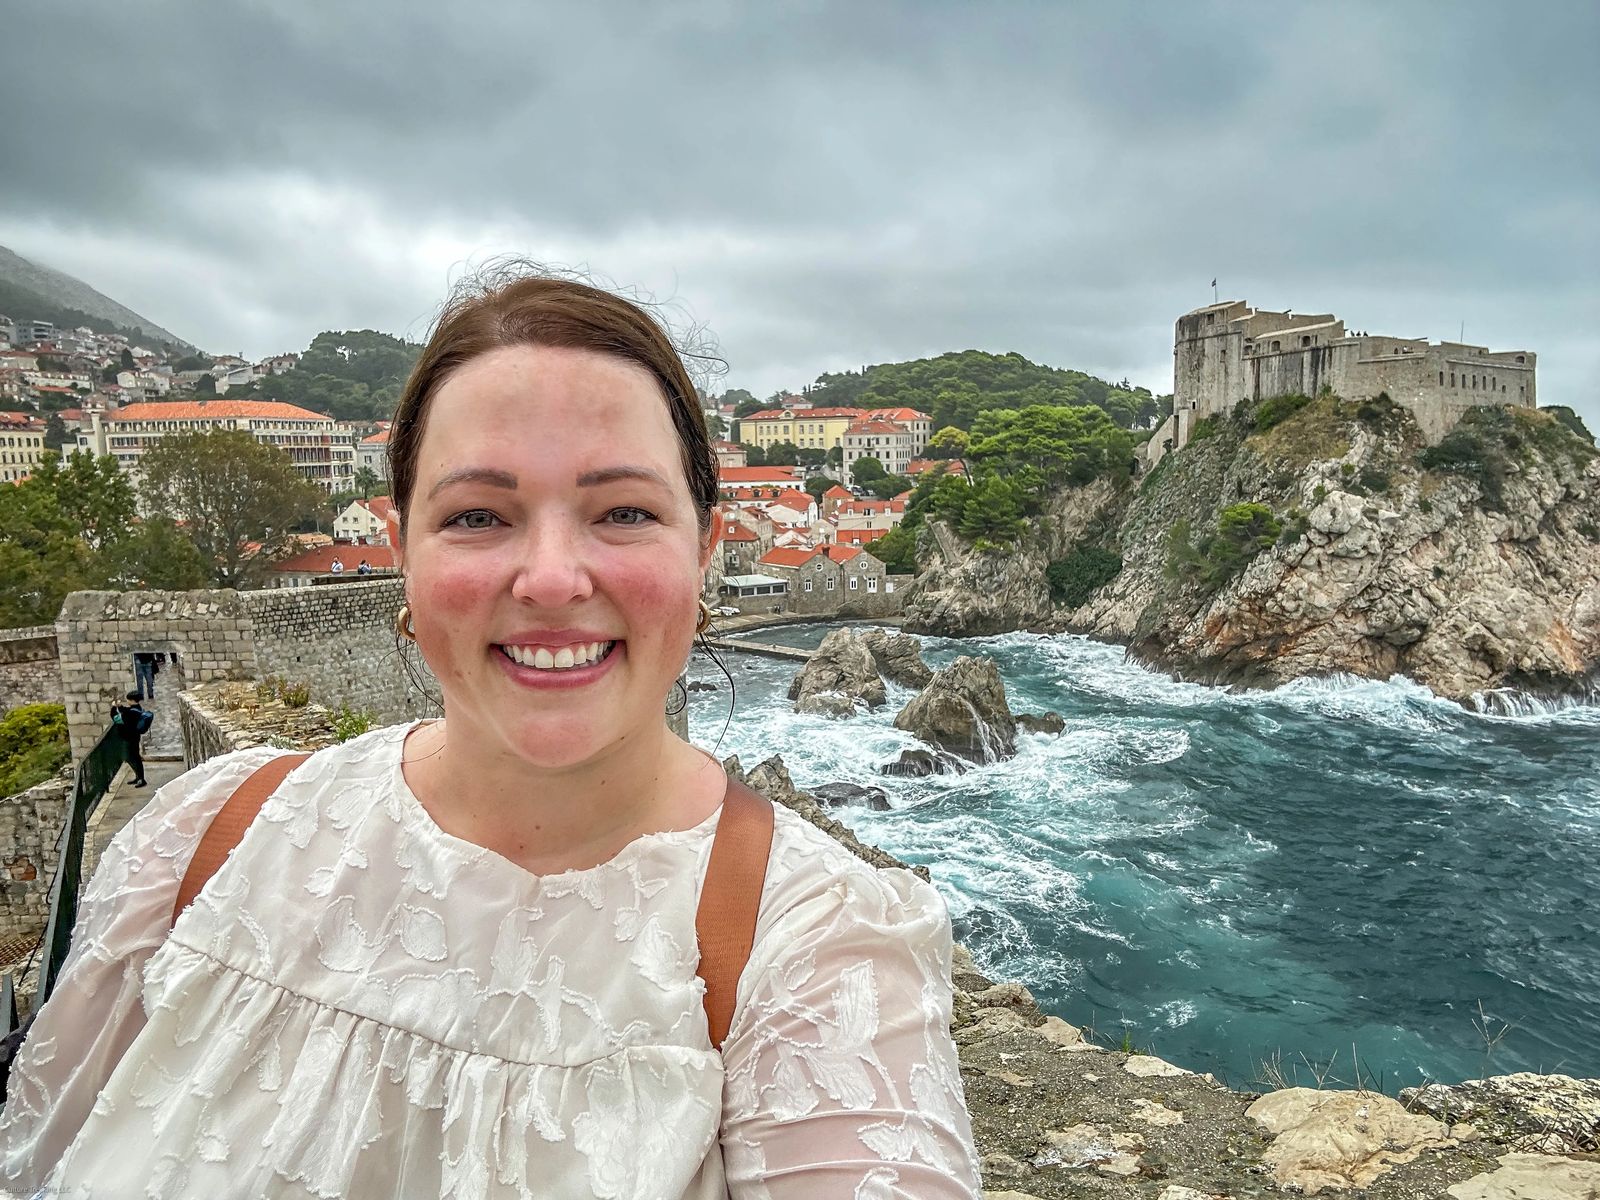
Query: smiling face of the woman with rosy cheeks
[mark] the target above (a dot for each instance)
(553, 554)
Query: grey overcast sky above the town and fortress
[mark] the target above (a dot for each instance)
(826, 185)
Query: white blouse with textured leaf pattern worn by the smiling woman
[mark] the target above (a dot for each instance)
(362, 1006)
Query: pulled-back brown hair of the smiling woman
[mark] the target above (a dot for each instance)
(511, 306)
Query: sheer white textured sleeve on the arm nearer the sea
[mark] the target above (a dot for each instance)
(842, 1079)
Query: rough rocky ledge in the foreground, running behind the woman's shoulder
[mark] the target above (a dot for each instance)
(1057, 1116)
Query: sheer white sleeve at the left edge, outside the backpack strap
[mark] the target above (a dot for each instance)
(97, 1010)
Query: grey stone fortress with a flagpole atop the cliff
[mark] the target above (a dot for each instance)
(1230, 353)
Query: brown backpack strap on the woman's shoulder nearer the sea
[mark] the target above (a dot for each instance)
(730, 900)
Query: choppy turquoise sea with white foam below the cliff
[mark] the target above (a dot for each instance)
(1332, 879)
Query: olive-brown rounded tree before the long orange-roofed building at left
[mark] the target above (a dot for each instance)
(230, 492)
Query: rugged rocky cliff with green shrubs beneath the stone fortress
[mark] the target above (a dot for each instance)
(1473, 567)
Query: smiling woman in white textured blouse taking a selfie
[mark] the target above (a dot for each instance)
(457, 959)
